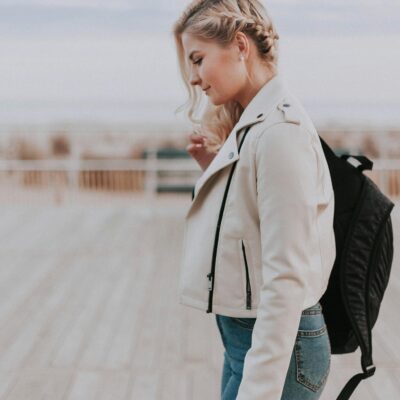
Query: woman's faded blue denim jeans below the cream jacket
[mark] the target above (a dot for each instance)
(309, 365)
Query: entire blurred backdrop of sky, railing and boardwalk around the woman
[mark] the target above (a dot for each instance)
(95, 181)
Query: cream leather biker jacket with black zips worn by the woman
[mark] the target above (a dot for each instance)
(271, 252)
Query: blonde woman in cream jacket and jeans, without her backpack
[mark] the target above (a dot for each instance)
(259, 242)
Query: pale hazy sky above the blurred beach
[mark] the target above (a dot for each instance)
(97, 60)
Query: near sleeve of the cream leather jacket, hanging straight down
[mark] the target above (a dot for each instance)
(286, 176)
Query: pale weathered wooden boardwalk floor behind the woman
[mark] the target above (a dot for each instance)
(89, 311)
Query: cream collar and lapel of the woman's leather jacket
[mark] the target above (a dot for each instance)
(256, 111)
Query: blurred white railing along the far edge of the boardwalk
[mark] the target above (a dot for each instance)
(58, 179)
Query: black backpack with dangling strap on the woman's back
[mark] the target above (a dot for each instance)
(364, 254)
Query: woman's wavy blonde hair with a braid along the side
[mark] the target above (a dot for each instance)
(220, 20)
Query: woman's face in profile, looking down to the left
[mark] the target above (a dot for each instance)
(218, 71)
